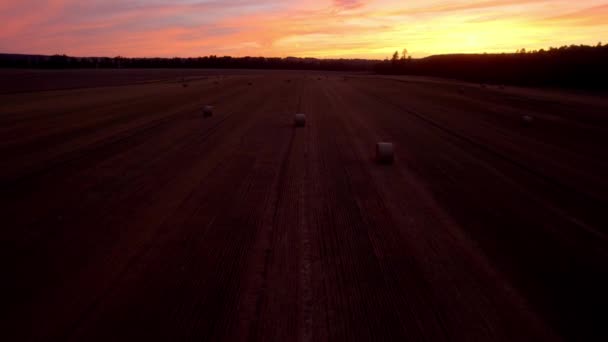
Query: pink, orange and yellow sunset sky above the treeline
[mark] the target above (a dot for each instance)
(314, 28)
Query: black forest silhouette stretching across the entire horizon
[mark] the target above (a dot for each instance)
(575, 66)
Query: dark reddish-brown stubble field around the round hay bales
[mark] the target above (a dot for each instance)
(126, 215)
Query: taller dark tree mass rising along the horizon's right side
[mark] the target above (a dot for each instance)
(574, 66)
